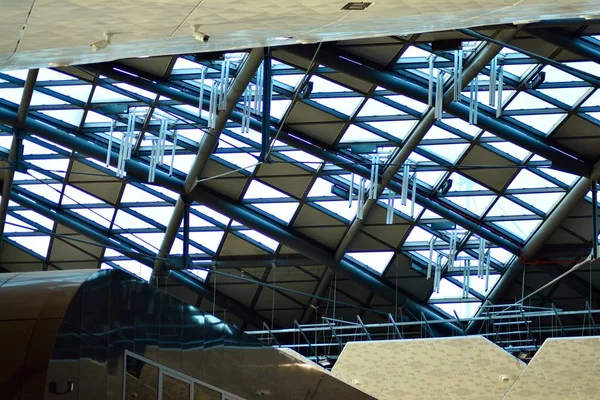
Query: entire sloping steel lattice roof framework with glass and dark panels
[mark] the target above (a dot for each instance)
(281, 235)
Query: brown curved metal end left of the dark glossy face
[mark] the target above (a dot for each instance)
(33, 306)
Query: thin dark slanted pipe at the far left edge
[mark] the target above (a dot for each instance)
(9, 174)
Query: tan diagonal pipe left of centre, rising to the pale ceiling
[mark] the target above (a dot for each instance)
(207, 146)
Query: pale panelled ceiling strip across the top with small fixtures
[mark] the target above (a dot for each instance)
(39, 33)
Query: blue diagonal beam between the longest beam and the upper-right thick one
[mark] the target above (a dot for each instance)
(321, 151)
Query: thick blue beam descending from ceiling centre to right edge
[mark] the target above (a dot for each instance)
(341, 62)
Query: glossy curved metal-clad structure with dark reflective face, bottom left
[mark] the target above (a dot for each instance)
(79, 324)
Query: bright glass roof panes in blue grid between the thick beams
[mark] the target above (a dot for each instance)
(468, 171)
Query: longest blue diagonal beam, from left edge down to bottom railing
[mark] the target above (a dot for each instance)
(234, 211)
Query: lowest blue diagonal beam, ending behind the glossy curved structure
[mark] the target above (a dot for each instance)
(223, 301)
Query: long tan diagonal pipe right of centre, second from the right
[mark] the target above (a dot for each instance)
(485, 56)
